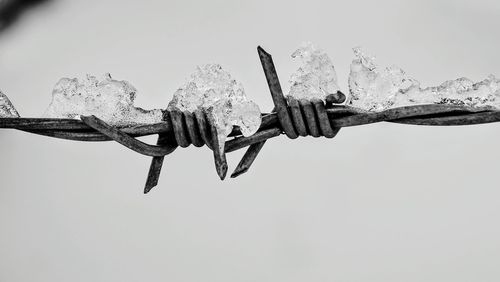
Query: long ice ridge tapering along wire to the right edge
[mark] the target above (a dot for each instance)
(375, 89)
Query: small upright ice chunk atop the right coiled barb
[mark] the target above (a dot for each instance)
(316, 77)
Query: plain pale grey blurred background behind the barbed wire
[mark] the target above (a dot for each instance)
(381, 202)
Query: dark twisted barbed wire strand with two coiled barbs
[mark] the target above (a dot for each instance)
(291, 117)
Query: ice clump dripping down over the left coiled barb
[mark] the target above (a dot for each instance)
(213, 90)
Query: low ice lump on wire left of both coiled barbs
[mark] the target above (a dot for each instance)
(108, 99)
